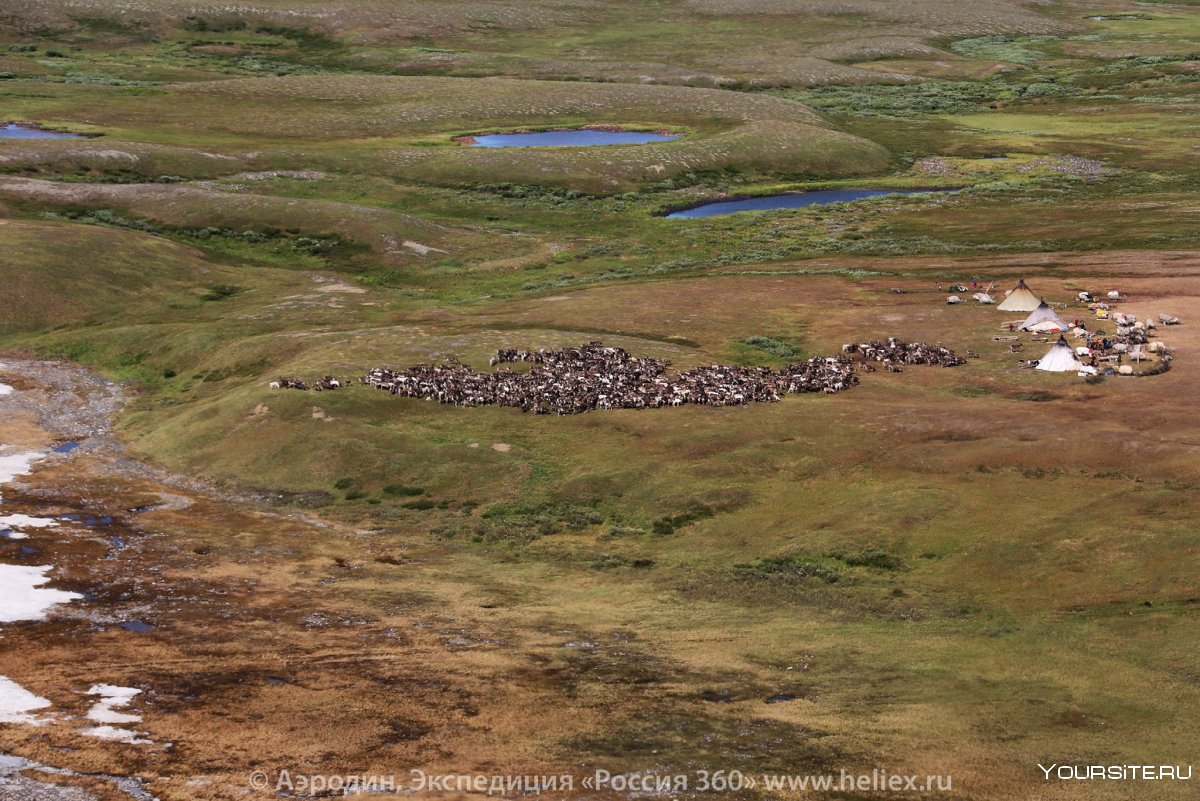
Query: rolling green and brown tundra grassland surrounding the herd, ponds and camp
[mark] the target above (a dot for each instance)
(959, 573)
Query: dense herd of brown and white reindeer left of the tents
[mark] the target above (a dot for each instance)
(575, 381)
